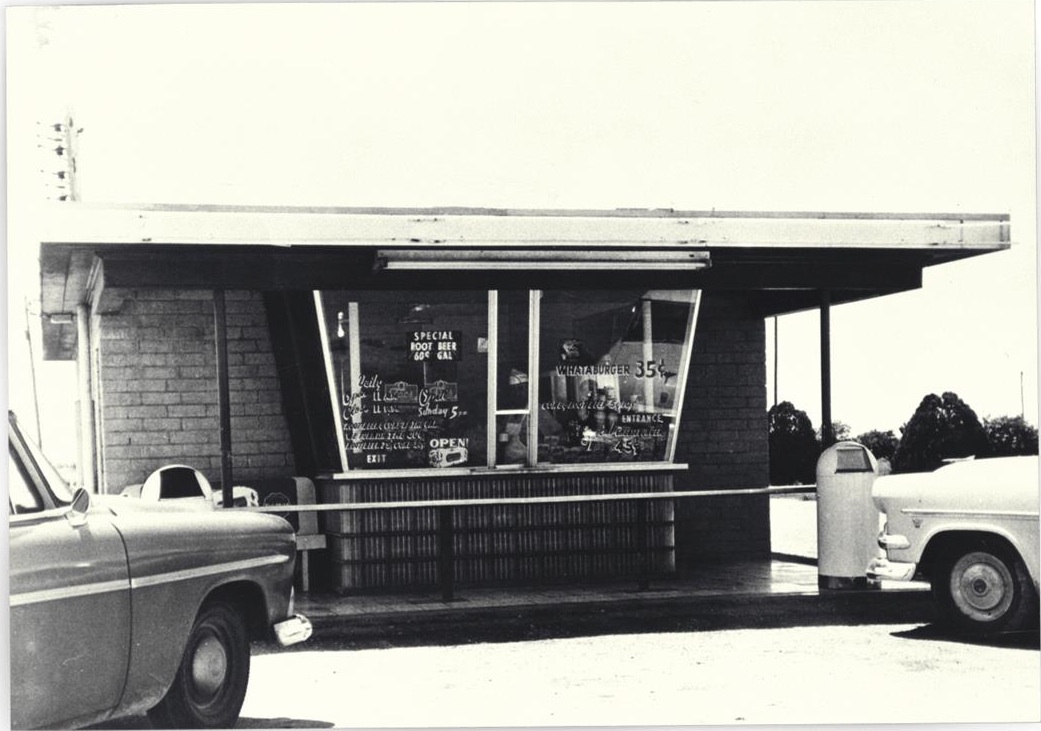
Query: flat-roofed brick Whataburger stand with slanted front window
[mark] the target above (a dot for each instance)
(398, 356)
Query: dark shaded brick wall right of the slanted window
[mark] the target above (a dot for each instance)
(724, 436)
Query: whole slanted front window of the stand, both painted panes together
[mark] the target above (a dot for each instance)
(506, 379)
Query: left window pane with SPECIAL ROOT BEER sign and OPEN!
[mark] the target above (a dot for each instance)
(410, 373)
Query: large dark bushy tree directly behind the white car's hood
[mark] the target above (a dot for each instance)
(942, 428)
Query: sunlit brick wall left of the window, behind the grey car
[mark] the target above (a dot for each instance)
(158, 394)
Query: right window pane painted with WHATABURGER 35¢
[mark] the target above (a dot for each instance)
(613, 366)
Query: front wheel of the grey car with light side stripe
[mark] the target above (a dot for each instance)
(211, 684)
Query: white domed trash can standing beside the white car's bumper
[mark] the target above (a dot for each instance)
(848, 521)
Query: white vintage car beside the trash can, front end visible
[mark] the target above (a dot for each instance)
(971, 528)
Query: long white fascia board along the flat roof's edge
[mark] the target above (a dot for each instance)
(77, 223)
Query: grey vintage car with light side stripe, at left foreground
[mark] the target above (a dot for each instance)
(121, 607)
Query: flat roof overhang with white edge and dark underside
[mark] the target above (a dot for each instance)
(788, 259)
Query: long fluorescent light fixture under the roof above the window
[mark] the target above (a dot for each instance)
(540, 260)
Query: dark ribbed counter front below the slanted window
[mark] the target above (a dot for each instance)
(530, 543)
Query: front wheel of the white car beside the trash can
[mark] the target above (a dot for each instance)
(984, 591)
